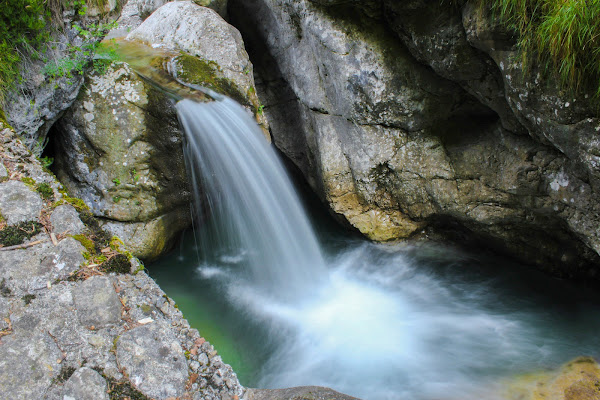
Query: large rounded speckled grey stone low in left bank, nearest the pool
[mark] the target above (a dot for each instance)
(153, 360)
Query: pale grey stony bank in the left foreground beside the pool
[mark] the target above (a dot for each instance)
(66, 327)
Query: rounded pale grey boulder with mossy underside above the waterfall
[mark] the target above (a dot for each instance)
(214, 57)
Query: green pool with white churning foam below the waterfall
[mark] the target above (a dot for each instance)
(427, 322)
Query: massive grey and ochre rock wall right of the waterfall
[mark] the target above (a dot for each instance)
(408, 116)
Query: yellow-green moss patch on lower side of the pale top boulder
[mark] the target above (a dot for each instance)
(198, 71)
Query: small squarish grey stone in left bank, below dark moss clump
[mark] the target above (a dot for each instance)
(97, 303)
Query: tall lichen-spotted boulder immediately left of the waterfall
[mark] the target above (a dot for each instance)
(120, 151)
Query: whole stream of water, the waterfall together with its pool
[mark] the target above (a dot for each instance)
(287, 305)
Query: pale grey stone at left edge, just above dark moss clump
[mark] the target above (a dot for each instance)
(18, 202)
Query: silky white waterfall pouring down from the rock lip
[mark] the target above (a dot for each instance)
(255, 218)
